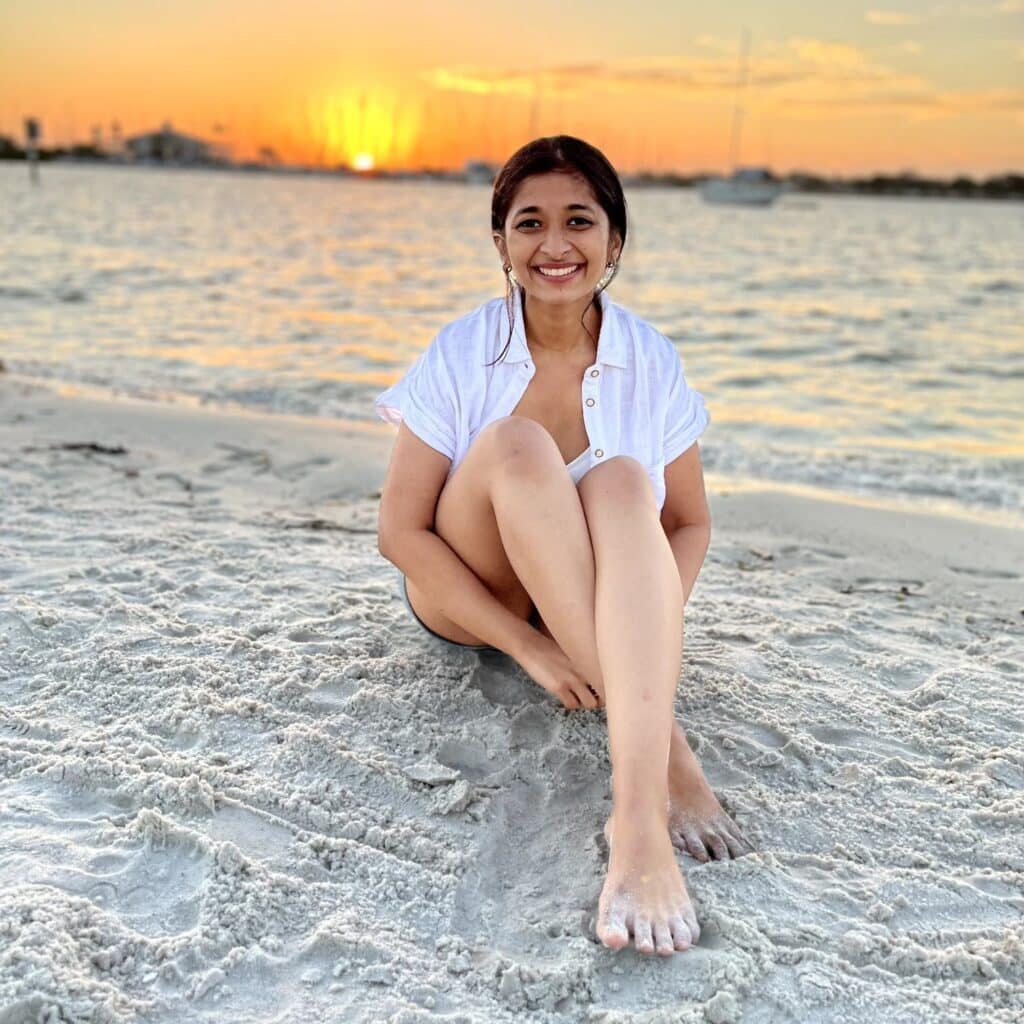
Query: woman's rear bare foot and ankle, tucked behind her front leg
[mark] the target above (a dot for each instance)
(698, 824)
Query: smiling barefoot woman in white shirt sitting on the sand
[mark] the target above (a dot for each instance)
(546, 498)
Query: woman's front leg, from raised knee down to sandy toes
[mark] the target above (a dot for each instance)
(638, 614)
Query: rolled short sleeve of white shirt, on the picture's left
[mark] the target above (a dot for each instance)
(424, 401)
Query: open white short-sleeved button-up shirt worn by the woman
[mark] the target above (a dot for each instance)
(636, 401)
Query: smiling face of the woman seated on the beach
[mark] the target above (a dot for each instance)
(556, 223)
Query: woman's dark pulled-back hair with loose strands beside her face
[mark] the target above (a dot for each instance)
(567, 155)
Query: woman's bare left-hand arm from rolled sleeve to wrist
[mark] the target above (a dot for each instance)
(406, 538)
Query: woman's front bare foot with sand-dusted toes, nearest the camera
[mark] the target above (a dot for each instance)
(645, 893)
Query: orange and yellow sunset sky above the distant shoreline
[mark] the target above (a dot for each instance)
(836, 87)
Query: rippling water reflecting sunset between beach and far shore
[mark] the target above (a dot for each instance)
(866, 348)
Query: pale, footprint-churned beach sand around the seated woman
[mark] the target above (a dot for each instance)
(239, 784)
